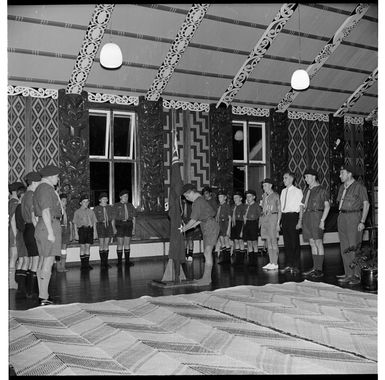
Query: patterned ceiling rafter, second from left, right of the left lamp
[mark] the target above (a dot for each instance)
(182, 39)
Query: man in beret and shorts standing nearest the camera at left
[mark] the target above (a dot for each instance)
(47, 207)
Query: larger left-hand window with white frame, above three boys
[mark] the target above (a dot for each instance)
(113, 165)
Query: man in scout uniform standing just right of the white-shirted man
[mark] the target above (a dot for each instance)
(315, 207)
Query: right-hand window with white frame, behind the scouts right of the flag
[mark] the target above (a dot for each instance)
(249, 155)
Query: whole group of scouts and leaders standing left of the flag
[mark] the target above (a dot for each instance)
(35, 233)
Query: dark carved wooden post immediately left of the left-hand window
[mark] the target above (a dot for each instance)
(73, 147)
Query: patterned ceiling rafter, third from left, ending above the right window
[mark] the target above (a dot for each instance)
(258, 52)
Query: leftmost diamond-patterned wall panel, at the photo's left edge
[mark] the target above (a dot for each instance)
(16, 138)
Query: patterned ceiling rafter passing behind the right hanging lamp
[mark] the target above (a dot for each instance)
(343, 31)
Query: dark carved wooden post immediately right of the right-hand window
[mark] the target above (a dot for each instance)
(279, 146)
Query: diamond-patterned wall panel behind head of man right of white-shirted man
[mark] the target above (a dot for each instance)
(319, 150)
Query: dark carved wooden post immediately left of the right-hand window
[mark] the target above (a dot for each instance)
(221, 148)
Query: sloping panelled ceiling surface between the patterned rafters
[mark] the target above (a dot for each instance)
(44, 42)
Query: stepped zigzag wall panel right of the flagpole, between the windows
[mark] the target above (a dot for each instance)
(199, 148)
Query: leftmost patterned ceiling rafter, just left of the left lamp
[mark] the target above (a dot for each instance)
(90, 46)
